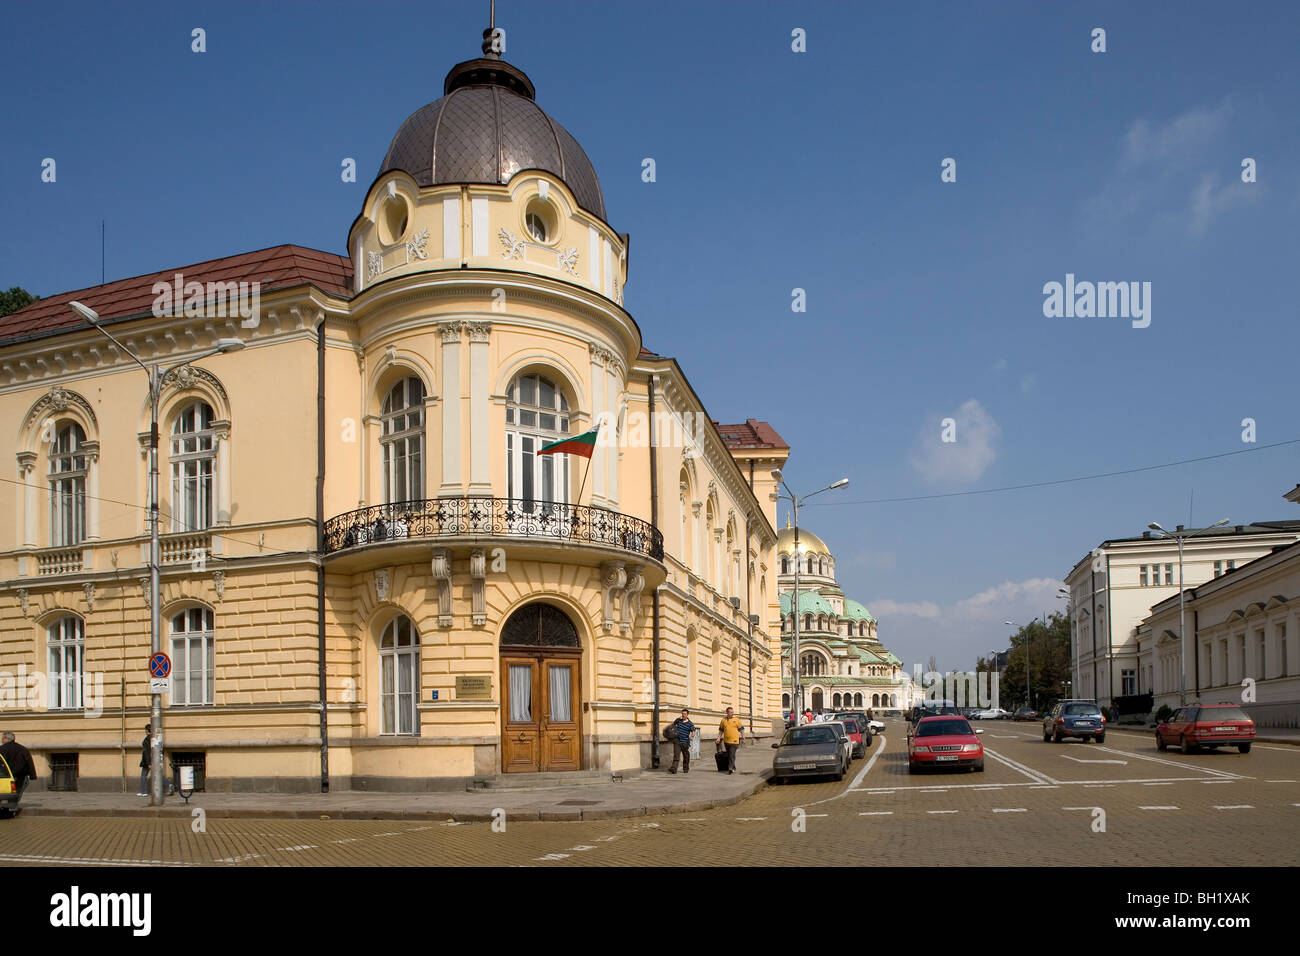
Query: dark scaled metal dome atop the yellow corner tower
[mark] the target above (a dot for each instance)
(486, 129)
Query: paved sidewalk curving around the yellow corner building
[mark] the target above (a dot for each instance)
(645, 793)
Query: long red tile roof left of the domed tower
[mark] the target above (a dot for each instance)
(280, 267)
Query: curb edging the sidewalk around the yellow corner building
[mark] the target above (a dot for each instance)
(460, 816)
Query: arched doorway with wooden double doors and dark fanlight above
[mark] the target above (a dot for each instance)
(541, 691)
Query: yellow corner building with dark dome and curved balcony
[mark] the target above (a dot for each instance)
(370, 574)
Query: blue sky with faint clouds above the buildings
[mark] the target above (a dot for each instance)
(777, 171)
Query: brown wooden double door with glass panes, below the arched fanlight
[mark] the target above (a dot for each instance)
(541, 710)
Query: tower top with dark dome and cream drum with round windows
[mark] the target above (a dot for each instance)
(484, 179)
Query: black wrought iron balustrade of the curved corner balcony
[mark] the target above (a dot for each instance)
(478, 517)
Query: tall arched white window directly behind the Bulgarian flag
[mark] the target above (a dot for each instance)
(538, 414)
